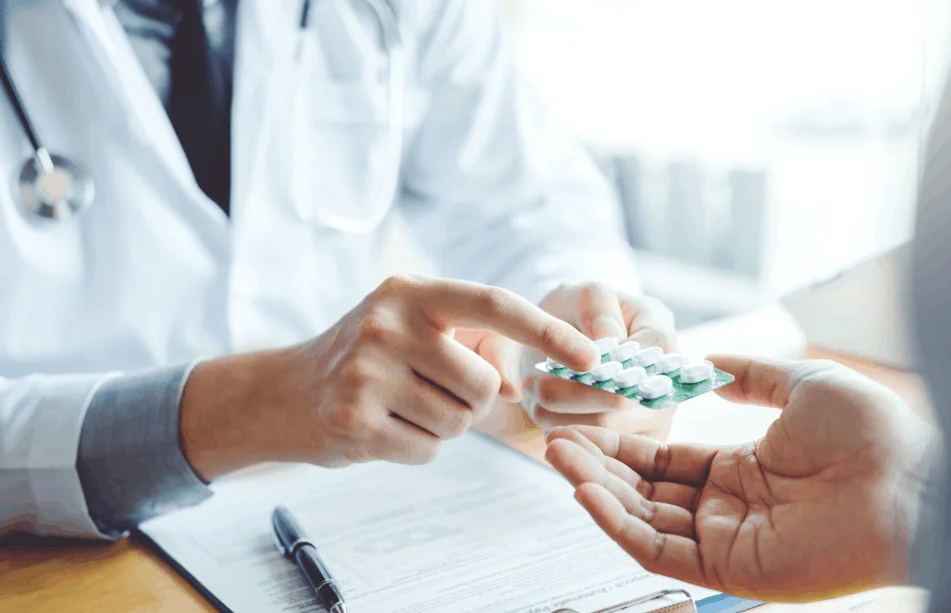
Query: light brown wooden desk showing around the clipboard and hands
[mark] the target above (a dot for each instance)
(47, 575)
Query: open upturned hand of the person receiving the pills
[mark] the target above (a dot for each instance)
(818, 507)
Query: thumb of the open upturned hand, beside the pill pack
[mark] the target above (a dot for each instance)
(758, 380)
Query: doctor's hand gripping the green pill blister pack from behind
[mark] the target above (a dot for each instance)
(598, 311)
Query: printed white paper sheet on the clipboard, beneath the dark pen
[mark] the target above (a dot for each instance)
(482, 529)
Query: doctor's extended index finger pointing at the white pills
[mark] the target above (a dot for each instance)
(448, 303)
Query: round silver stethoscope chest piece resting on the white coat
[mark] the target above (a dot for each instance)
(54, 188)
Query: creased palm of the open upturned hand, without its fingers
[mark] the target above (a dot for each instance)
(786, 517)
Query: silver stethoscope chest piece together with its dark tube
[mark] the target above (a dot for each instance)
(51, 186)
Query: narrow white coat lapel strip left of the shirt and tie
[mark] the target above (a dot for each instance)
(145, 114)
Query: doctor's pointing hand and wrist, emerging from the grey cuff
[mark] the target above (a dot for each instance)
(415, 363)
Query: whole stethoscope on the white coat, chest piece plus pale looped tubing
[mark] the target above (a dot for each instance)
(53, 187)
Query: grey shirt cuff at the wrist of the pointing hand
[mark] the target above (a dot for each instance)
(130, 461)
